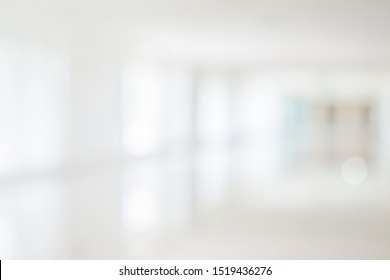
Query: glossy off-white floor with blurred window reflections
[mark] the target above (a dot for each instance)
(194, 207)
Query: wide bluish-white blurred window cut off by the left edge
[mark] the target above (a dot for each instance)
(31, 109)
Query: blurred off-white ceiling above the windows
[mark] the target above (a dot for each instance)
(295, 31)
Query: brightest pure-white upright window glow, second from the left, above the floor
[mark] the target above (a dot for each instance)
(143, 109)
